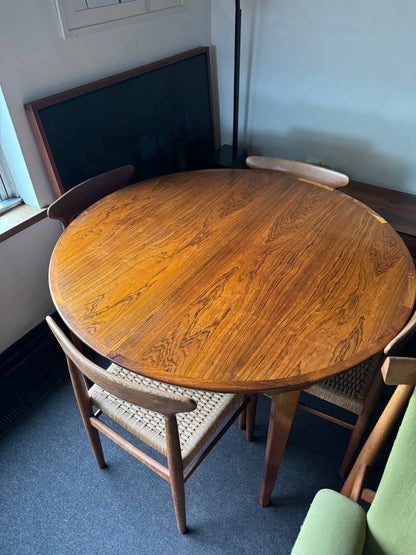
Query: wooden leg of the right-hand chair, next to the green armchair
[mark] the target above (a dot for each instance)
(361, 423)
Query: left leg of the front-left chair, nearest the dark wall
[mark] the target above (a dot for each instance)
(85, 408)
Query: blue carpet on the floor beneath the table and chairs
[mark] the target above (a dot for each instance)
(55, 500)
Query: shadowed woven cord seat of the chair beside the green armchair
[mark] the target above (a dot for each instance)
(348, 389)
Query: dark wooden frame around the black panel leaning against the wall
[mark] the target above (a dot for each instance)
(32, 108)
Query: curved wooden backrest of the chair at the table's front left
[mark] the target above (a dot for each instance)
(147, 397)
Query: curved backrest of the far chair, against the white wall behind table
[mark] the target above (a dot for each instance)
(319, 174)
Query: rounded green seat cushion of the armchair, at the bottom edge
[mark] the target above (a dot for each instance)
(334, 525)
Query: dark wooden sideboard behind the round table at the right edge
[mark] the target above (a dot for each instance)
(397, 208)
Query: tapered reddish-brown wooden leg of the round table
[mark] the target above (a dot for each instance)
(282, 412)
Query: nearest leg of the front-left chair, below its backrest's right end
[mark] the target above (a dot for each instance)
(176, 471)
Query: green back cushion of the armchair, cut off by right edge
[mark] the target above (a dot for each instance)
(391, 518)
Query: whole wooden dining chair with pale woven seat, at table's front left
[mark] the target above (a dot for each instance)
(174, 421)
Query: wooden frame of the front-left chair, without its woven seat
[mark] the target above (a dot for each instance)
(166, 403)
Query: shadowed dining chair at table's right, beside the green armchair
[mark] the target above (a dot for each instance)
(356, 390)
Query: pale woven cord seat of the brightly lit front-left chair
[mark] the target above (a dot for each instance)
(195, 427)
